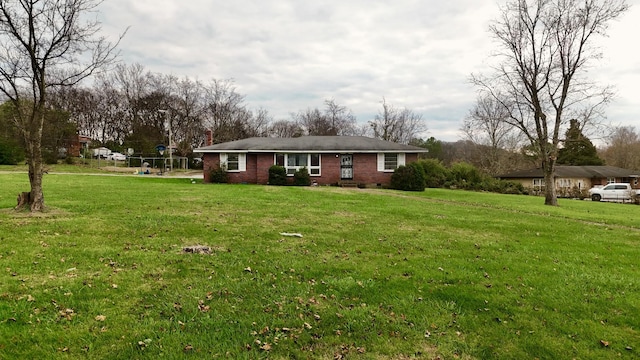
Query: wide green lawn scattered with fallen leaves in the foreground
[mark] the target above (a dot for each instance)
(378, 274)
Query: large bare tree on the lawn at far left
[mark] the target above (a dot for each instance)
(43, 44)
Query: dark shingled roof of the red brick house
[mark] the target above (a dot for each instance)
(319, 144)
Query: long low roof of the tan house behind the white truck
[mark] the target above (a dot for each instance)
(574, 172)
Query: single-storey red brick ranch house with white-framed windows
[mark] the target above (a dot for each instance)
(330, 160)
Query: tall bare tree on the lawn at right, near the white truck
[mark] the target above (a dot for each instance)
(546, 47)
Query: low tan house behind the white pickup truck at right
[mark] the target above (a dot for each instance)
(571, 178)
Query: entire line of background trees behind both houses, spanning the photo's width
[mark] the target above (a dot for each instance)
(130, 107)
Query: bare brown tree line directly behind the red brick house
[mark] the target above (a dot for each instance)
(130, 107)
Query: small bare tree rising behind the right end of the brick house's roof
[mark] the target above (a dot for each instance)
(397, 125)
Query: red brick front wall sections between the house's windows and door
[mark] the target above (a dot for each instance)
(365, 169)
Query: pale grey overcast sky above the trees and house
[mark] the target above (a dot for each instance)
(289, 55)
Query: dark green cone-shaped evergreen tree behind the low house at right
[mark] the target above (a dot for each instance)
(578, 149)
